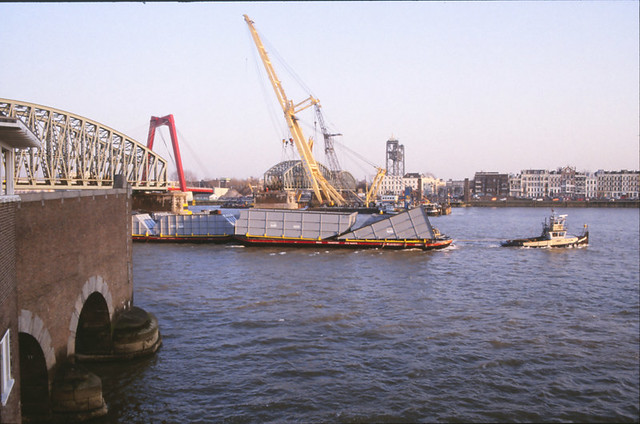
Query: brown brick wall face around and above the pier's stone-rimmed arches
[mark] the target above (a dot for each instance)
(69, 245)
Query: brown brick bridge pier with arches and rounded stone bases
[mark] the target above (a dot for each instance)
(65, 284)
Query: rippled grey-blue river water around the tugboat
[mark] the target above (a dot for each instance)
(476, 332)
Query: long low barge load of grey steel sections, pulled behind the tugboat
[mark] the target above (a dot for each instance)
(410, 229)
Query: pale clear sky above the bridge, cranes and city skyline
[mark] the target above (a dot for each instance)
(465, 86)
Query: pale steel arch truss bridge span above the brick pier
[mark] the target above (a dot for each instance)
(78, 153)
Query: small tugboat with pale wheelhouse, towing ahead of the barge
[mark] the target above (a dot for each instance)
(554, 234)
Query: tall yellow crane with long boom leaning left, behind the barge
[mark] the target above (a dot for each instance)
(323, 190)
